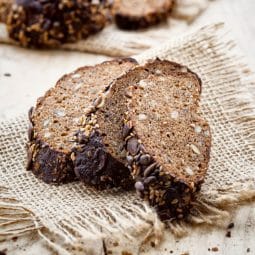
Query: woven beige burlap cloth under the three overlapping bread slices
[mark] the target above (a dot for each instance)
(72, 217)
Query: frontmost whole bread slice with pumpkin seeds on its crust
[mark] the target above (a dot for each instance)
(167, 142)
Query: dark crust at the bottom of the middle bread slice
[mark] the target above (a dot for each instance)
(94, 165)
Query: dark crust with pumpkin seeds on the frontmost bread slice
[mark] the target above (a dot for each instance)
(170, 194)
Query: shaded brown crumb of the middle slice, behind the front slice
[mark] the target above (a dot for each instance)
(110, 117)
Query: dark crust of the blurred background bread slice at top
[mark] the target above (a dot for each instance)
(127, 21)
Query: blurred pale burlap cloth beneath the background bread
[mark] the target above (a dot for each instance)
(114, 42)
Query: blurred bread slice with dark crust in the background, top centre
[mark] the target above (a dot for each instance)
(137, 14)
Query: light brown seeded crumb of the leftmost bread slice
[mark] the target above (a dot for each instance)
(57, 115)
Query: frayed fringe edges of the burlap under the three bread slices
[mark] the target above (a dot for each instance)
(213, 208)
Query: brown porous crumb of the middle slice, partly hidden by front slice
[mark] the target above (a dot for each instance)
(110, 115)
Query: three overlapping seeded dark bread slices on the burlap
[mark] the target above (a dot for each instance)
(120, 124)
